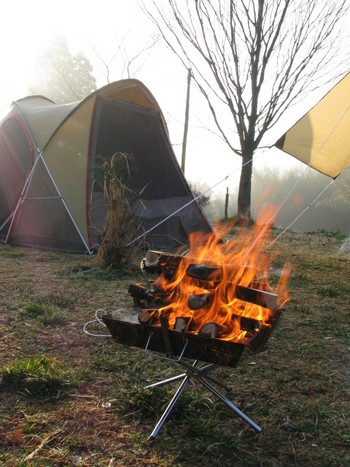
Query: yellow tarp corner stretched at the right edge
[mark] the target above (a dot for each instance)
(320, 138)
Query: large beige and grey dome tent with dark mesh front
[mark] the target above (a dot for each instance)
(51, 190)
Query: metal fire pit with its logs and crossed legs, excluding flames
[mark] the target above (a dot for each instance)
(149, 325)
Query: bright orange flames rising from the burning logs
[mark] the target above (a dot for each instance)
(240, 261)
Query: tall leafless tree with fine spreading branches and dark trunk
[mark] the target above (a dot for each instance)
(252, 59)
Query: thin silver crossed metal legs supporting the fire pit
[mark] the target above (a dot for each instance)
(199, 373)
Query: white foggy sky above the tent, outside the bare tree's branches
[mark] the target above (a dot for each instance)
(27, 29)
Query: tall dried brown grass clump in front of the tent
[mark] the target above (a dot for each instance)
(122, 226)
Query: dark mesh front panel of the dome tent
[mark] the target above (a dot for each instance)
(127, 128)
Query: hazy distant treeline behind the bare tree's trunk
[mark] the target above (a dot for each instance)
(297, 191)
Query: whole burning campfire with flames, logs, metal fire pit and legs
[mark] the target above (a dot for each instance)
(209, 305)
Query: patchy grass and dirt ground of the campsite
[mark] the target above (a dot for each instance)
(97, 412)
